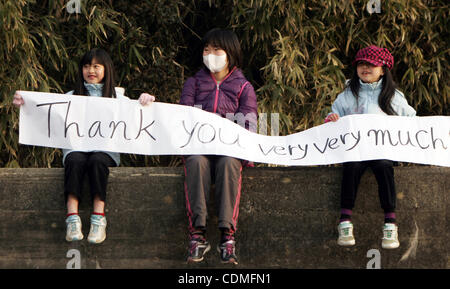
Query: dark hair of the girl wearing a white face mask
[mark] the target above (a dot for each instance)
(228, 41)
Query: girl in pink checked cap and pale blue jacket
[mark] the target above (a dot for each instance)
(370, 90)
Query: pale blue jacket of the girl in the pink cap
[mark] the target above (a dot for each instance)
(346, 104)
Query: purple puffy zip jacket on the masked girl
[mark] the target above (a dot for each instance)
(233, 95)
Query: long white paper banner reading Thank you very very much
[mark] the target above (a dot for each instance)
(122, 125)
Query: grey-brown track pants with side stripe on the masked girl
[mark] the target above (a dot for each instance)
(200, 172)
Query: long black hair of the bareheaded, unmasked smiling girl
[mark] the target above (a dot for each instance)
(101, 57)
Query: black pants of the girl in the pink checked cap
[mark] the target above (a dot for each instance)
(384, 174)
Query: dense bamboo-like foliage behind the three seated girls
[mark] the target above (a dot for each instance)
(297, 54)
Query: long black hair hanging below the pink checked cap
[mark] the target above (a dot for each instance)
(386, 94)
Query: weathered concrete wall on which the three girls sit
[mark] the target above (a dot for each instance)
(288, 219)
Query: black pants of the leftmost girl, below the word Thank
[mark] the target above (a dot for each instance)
(95, 164)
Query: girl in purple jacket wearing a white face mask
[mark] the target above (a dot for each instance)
(221, 88)
